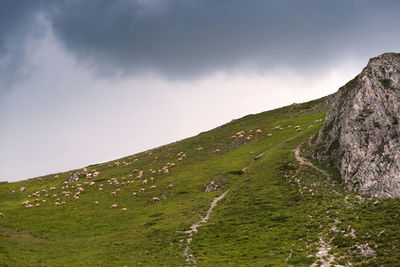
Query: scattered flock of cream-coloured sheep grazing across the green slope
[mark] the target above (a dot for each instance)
(73, 191)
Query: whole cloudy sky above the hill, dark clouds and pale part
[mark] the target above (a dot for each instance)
(83, 82)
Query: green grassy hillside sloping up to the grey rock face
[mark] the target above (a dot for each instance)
(275, 213)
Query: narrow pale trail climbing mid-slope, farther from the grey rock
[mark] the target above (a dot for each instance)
(189, 257)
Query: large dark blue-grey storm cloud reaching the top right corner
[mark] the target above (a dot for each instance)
(187, 38)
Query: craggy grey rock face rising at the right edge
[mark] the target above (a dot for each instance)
(361, 133)
